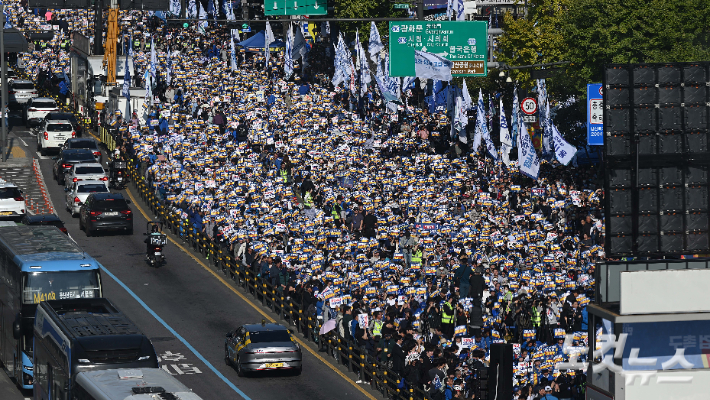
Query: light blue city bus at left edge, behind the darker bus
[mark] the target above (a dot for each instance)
(37, 263)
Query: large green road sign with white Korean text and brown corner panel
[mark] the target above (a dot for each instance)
(463, 42)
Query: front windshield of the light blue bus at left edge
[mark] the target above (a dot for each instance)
(42, 286)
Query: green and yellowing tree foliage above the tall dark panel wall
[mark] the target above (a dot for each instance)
(592, 33)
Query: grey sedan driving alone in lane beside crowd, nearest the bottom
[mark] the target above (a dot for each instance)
(262, 347)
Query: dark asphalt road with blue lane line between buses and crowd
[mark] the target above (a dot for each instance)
(196, 306)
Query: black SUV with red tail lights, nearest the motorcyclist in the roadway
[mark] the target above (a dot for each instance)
(106, 212)
